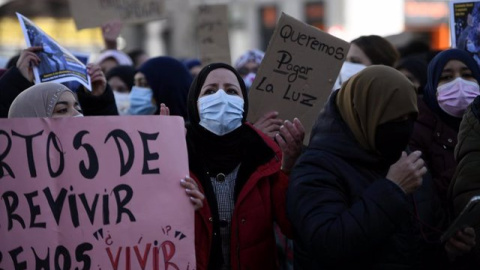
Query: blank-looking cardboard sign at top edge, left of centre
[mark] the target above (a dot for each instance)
(94, 13)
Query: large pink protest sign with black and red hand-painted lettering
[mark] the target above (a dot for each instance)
(95, 193)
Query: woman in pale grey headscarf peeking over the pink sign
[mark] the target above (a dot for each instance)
(48, 99)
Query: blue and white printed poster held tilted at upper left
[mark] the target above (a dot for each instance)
(57, 64)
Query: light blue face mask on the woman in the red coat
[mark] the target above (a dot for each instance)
(220, 113)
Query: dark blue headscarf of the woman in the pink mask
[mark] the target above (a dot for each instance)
(434, 72)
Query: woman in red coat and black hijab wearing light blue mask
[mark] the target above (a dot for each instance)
(241, 172)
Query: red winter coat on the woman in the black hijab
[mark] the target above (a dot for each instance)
(261, 201)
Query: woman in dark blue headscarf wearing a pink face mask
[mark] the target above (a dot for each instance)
(452, 84)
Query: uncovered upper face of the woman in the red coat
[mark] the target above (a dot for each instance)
(221, 79)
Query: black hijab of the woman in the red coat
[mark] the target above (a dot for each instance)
(217, 153)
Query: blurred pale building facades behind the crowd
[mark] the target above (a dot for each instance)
(251, 24)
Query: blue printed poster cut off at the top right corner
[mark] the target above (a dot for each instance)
(464, 22)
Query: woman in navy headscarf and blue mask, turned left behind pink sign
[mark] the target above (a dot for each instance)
(160, 80)
